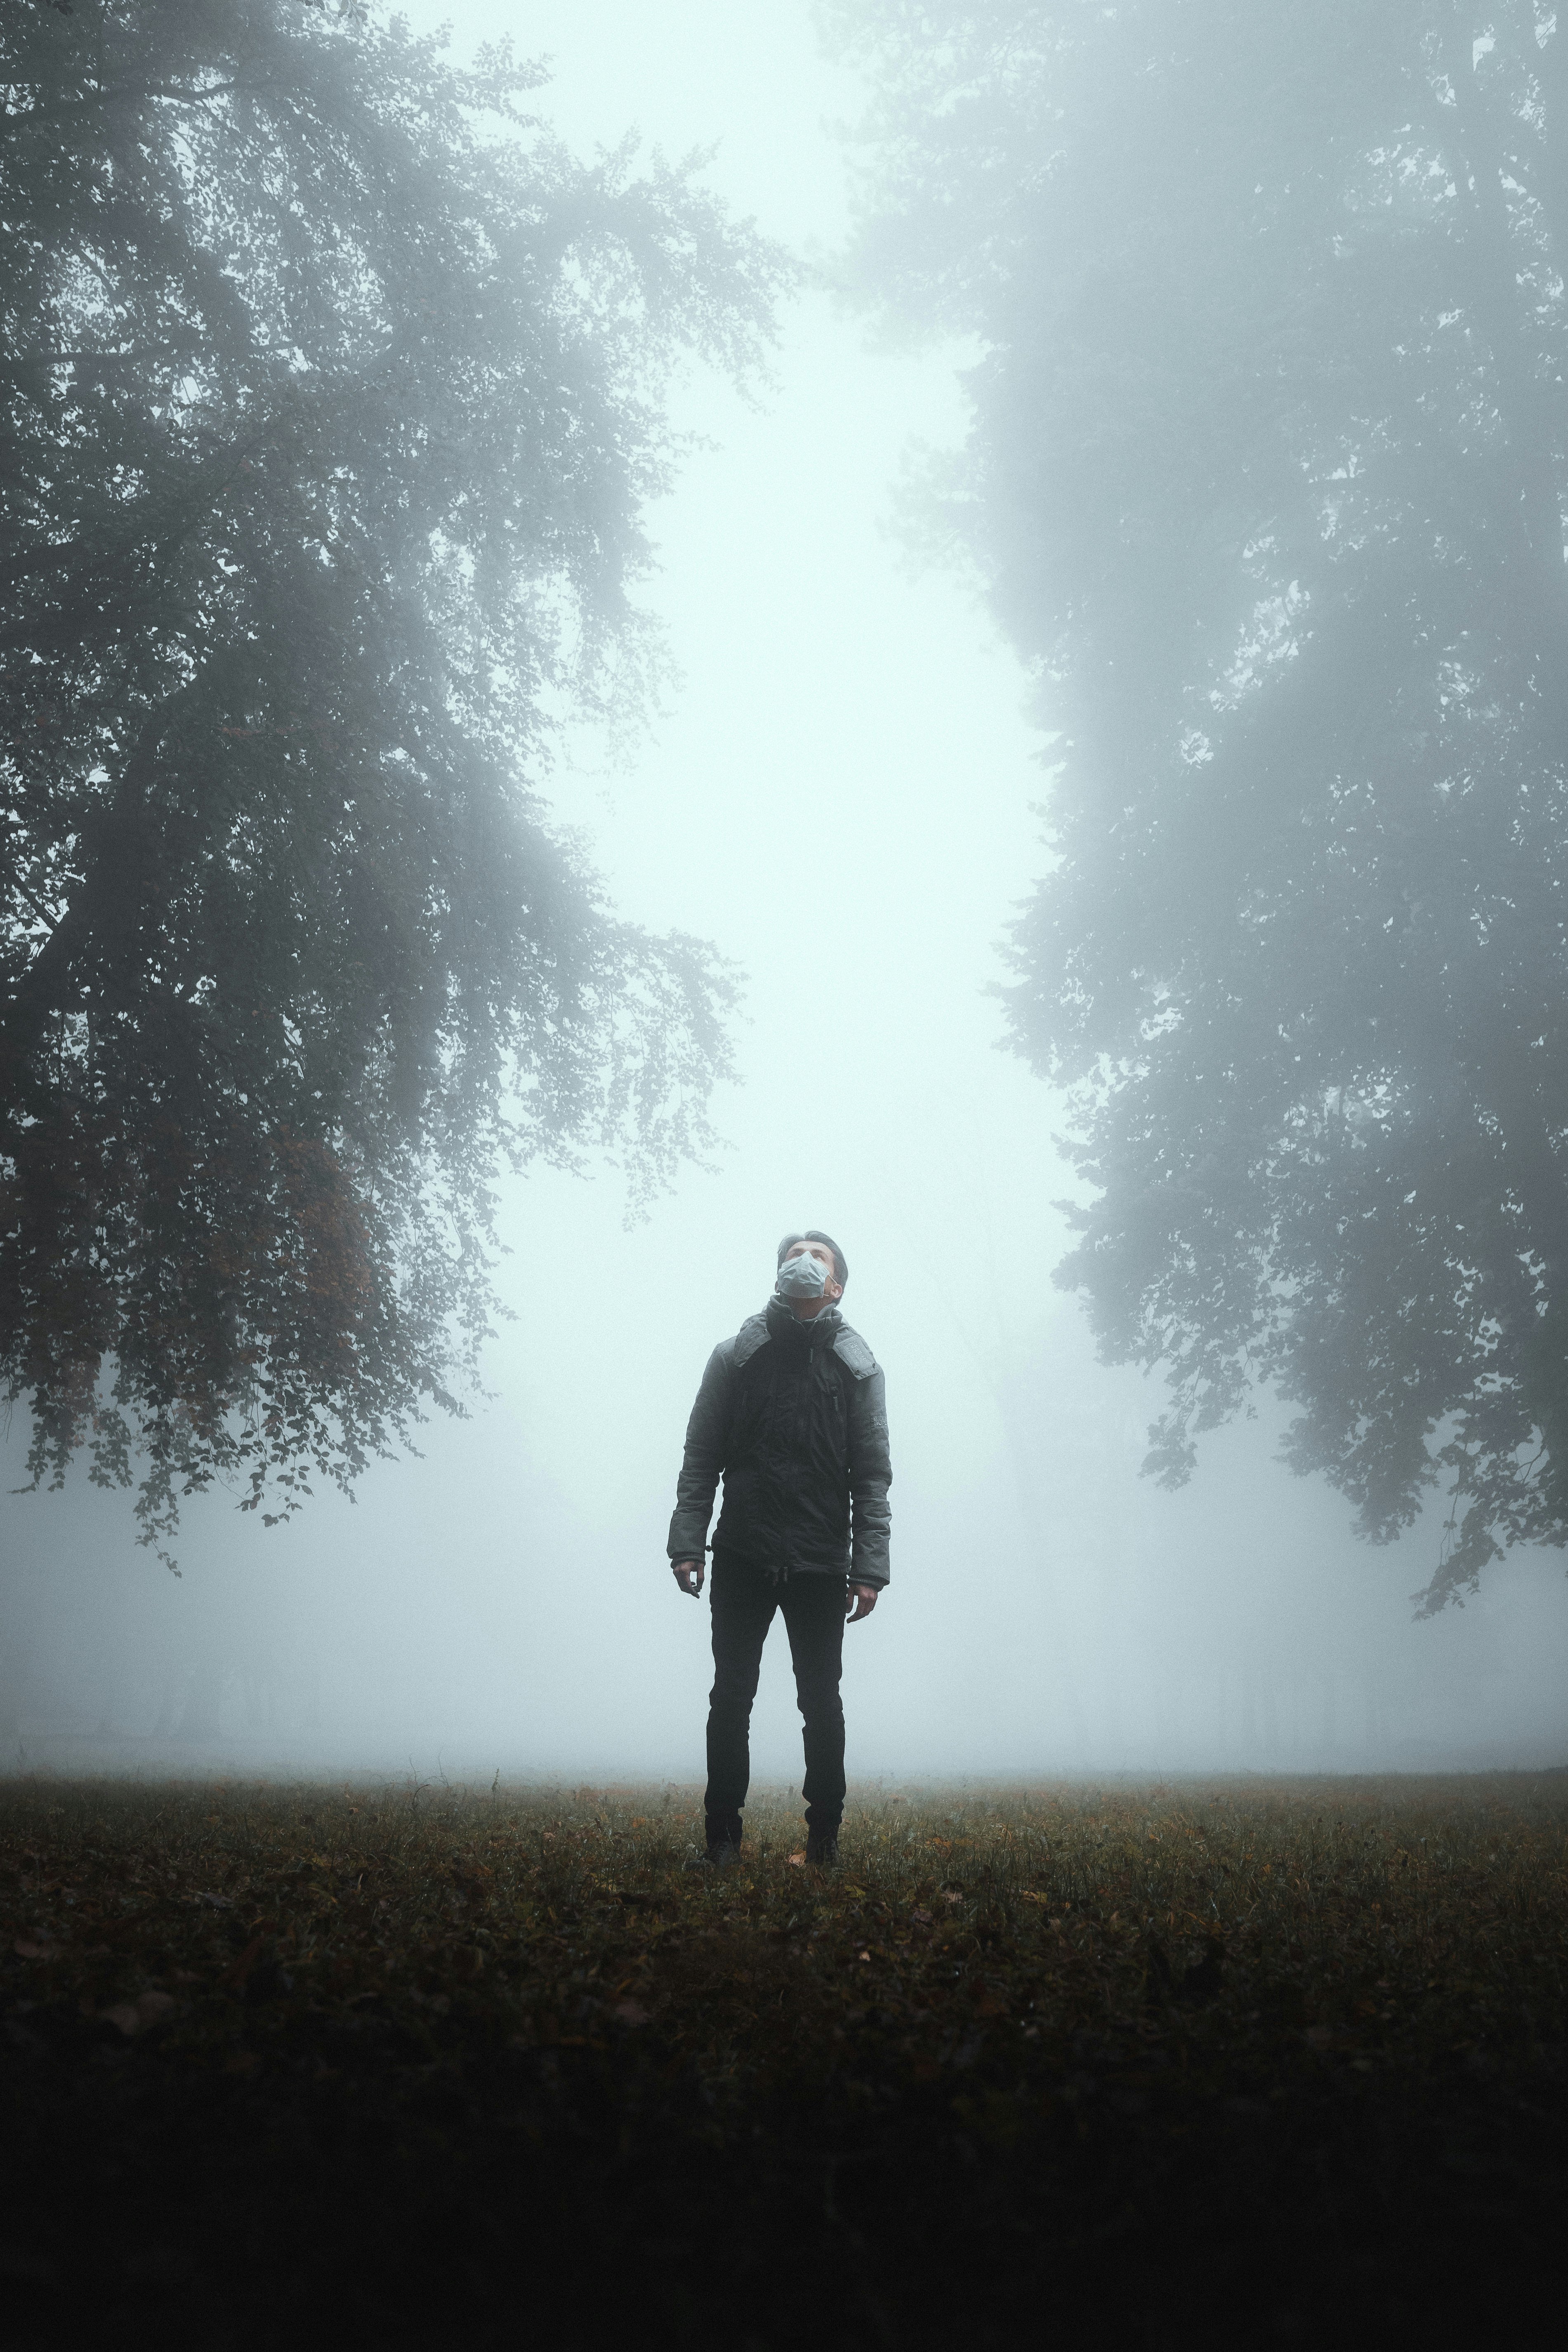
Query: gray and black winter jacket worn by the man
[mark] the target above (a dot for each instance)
(793, 1417)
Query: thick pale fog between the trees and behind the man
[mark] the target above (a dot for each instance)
(840, 796)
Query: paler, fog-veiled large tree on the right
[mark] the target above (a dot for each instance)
(1266, 479)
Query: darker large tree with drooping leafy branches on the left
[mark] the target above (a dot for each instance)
(333, 403)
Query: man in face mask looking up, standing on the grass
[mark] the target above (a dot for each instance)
(793, 1417)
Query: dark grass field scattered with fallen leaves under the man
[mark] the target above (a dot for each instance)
(490, 2066)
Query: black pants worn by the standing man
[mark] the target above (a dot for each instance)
(744, 1603)
